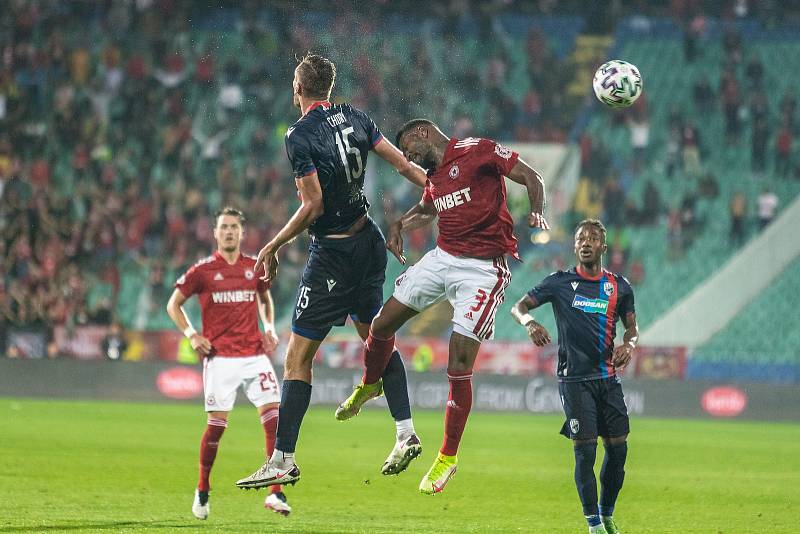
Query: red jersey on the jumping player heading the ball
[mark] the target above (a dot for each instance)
(469, 192)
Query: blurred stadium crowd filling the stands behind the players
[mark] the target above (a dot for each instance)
(124, 125)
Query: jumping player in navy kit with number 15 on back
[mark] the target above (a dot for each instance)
(328, 149)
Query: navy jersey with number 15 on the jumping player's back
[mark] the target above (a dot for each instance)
(334, 141)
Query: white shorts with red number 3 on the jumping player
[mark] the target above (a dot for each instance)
(475, 288)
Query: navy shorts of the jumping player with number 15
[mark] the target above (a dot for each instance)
(342, 277)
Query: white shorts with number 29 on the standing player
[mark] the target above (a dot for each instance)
(222, 376)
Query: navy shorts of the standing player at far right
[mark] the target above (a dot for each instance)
(594, 408)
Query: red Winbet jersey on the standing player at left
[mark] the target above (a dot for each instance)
(228, 303)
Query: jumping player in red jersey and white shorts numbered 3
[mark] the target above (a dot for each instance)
(465, 188)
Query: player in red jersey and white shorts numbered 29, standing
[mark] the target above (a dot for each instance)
(232, 298)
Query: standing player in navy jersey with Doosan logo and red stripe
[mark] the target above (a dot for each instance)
(587, 301)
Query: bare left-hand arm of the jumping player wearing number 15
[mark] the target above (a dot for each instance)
(311, 208)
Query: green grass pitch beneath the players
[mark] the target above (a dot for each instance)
(120, 467)
